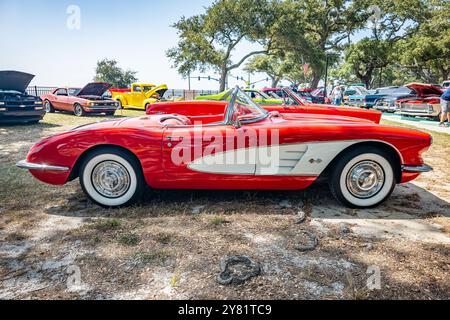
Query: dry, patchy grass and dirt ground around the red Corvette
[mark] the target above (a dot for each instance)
(57, 245)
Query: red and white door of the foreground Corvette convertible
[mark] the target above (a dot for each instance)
(198, 152)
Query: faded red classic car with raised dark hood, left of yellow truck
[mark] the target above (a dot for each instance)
(80, 101)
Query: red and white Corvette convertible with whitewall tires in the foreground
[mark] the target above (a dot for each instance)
(231, 144)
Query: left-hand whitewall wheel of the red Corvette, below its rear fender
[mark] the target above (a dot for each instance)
(112, 178)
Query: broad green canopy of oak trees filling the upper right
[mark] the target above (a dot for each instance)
(380, 41)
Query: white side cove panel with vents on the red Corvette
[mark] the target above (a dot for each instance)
(303, 159)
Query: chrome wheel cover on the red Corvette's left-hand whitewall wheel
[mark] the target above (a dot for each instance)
(111, 179)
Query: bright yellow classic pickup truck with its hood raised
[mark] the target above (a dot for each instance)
(139, 95)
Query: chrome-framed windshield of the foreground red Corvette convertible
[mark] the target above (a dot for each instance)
(242, 106)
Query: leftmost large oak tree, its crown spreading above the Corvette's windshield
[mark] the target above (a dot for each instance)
(208, 40)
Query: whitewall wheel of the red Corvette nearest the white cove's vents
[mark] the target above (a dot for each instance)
(363, 178)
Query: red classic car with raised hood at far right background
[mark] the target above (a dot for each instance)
(425, 104)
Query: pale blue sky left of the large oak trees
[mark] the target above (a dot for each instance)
(35, 38)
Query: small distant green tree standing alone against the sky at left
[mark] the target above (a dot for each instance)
(108, 71)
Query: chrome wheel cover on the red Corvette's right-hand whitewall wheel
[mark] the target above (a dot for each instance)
(365, 179)
